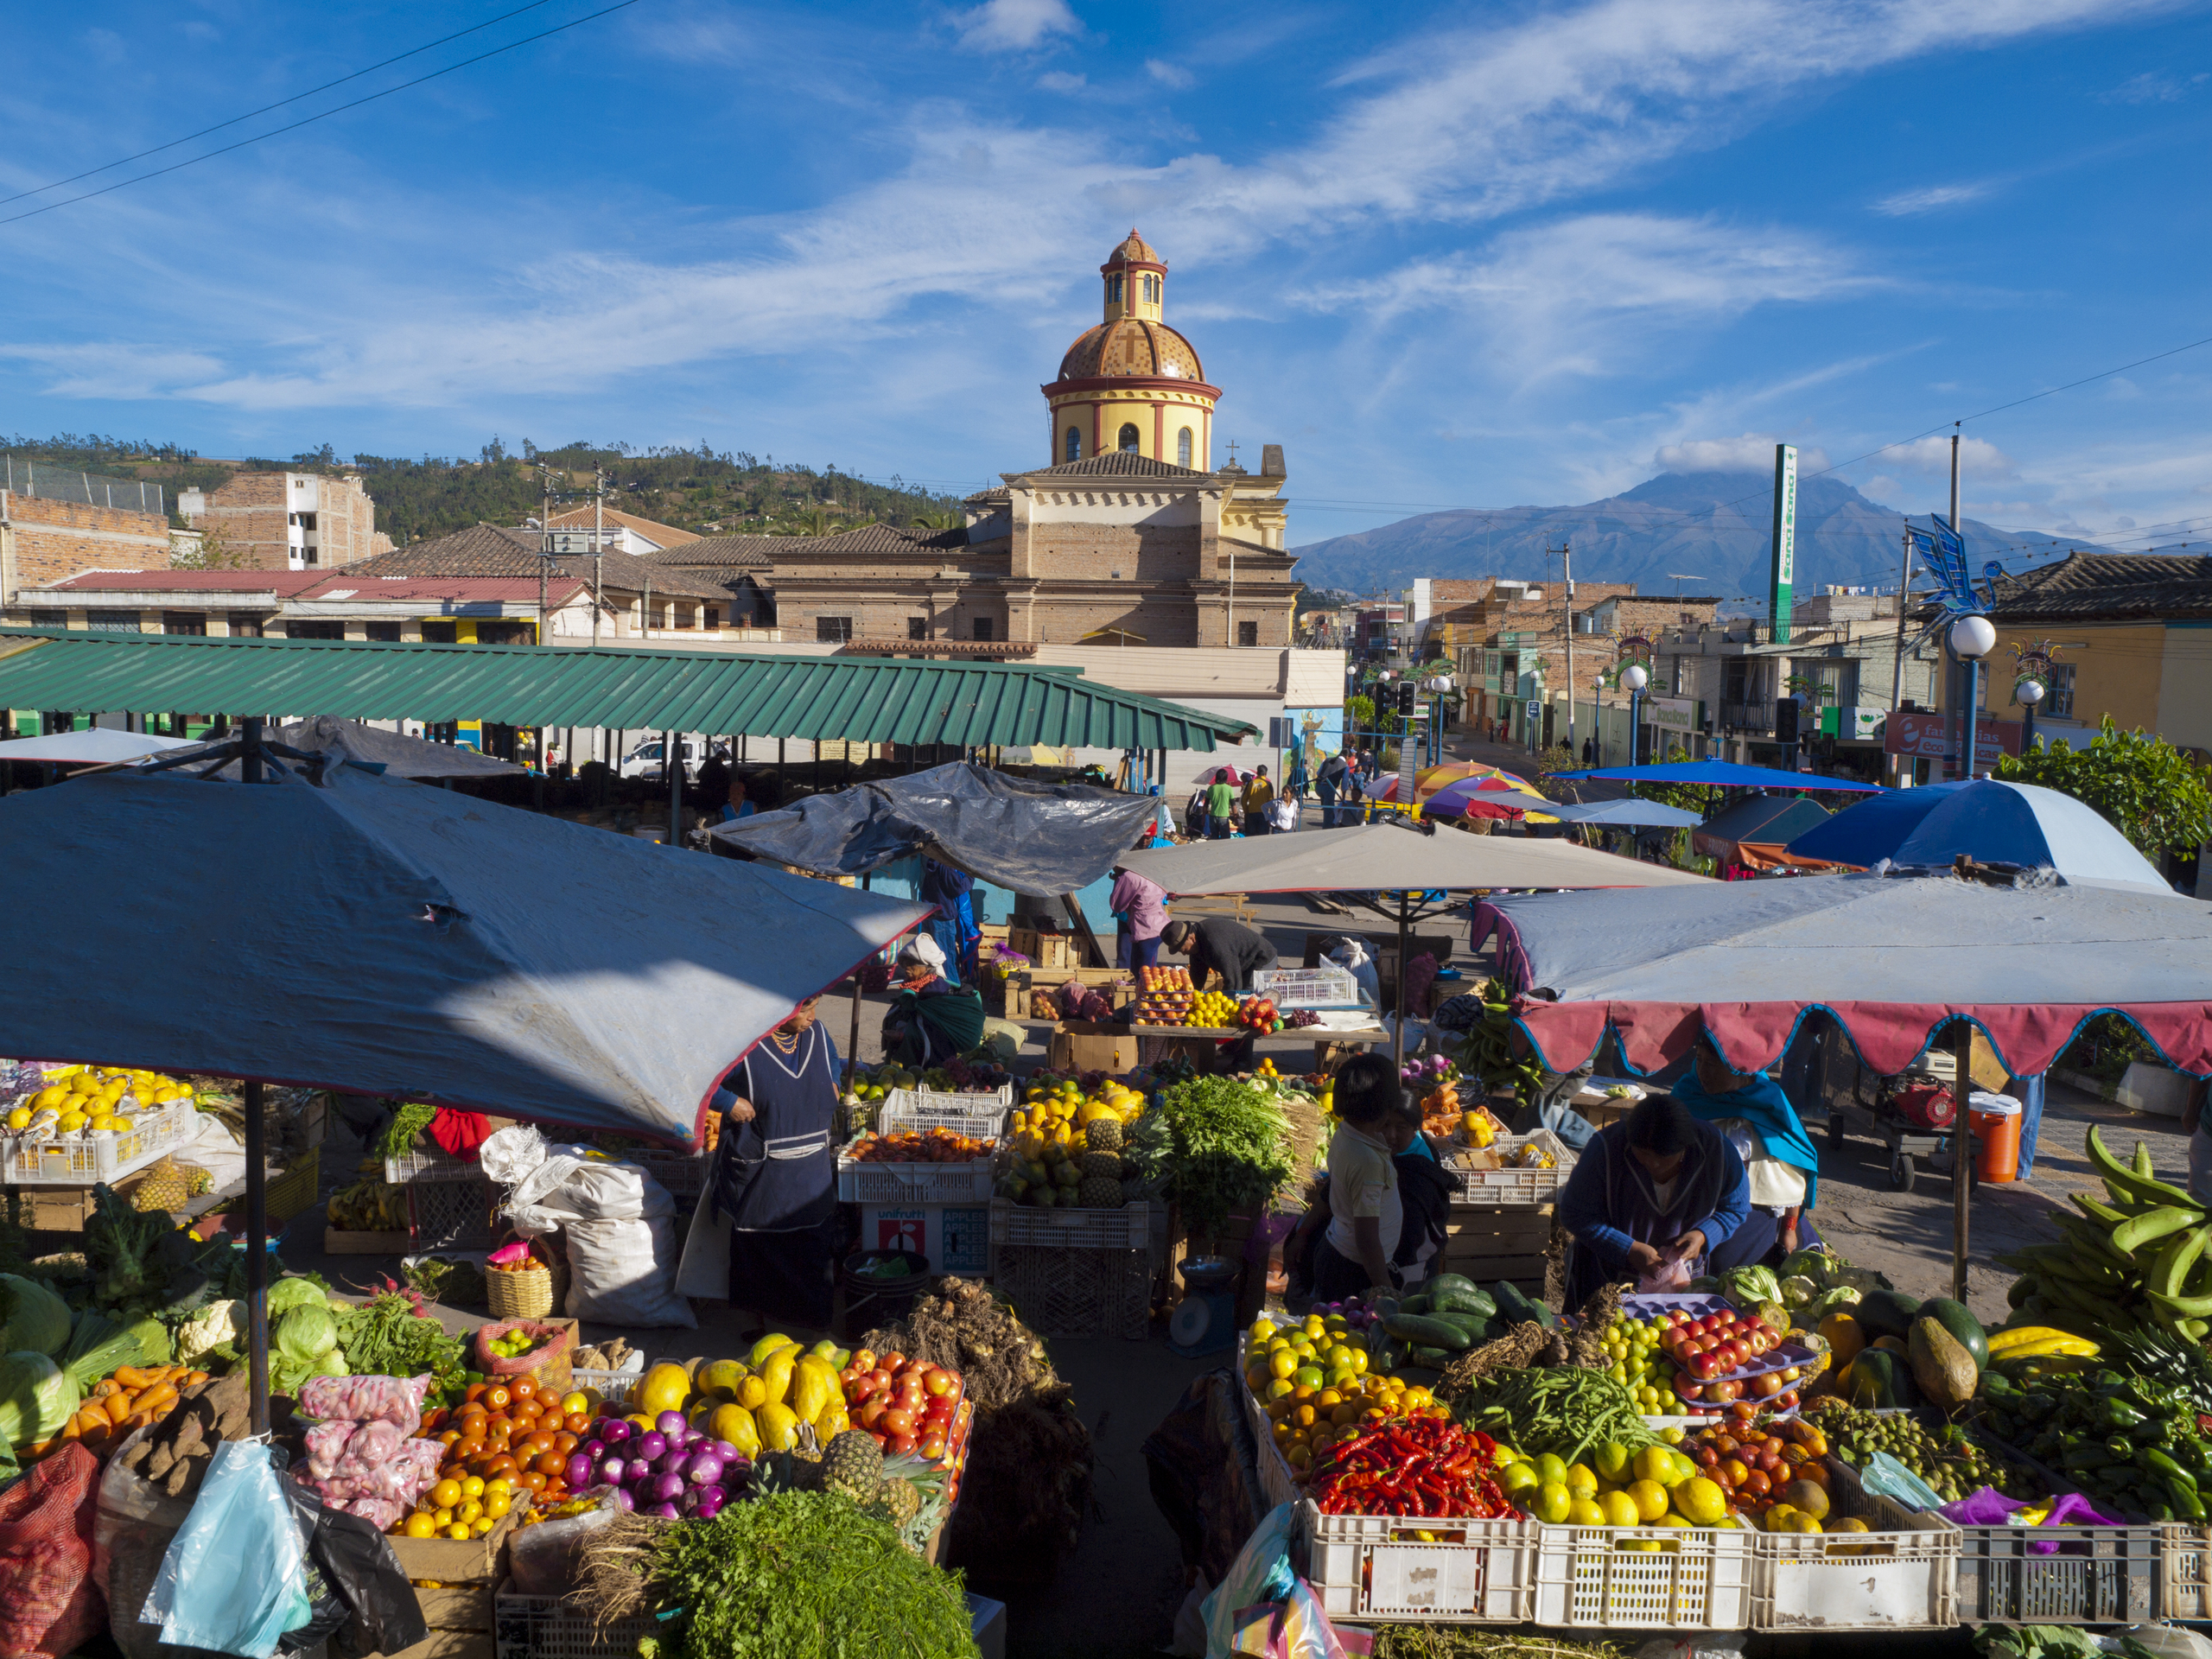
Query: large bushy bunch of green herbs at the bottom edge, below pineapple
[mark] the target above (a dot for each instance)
(804, 1574)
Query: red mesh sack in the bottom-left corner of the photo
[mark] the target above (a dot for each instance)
(48, 1598)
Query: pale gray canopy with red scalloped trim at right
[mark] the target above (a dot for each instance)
(1890, 957)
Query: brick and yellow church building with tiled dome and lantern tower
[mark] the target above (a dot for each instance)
(1127, 534)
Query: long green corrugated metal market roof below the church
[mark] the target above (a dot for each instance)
(680, 691)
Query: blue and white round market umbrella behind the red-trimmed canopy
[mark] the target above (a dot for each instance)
(1990, 822)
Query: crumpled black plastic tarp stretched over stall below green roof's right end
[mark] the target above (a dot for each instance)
(1039, 839)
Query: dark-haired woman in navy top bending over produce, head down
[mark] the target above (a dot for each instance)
(1651, 1198)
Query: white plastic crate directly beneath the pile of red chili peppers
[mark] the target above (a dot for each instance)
(1419, 1569)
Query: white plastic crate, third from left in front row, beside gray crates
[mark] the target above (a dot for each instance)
(1901, 1576)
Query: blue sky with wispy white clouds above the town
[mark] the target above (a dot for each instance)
(1446, 255)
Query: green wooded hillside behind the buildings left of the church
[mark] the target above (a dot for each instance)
(696, 490)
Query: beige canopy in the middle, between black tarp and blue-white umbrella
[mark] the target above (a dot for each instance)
(1392, 857)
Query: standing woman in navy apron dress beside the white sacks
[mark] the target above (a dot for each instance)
(778, 1176)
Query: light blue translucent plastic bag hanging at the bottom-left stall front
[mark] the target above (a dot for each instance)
(236, 1576)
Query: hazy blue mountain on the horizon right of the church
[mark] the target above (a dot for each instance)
(1709, 528)
